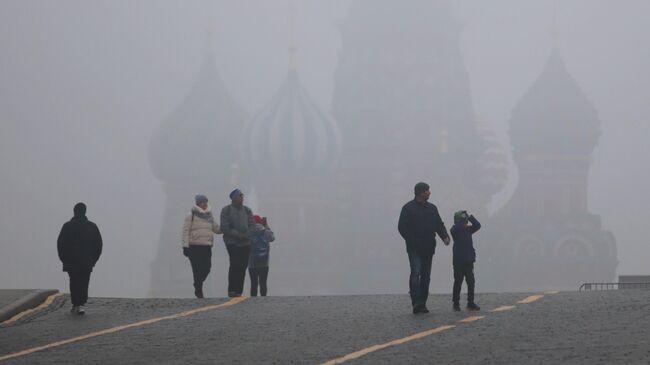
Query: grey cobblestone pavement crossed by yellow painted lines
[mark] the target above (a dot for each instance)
(568, 327)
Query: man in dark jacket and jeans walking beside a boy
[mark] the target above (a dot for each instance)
(418, 224)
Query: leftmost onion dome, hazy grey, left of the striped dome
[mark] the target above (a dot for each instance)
(198, 142)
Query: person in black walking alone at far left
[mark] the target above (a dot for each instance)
(79, 246)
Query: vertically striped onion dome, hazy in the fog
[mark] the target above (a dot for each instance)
(291, 135)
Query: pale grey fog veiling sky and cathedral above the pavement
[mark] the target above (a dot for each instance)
(87, 89)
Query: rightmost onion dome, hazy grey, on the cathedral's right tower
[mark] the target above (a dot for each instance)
(554, 115)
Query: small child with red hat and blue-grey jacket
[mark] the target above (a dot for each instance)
(258, 262)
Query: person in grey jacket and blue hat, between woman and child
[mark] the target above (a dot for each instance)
(237, 225)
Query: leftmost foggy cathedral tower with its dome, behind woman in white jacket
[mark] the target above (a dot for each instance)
(194, 151)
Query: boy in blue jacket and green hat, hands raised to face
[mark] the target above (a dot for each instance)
(465, 226)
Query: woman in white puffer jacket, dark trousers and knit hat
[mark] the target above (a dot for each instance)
(198, 237)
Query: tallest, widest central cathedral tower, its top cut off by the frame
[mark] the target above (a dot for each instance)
(402, 100)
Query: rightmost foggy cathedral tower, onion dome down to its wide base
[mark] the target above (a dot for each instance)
(545, 237)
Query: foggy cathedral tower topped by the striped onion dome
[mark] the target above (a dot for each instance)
(290, 150)
